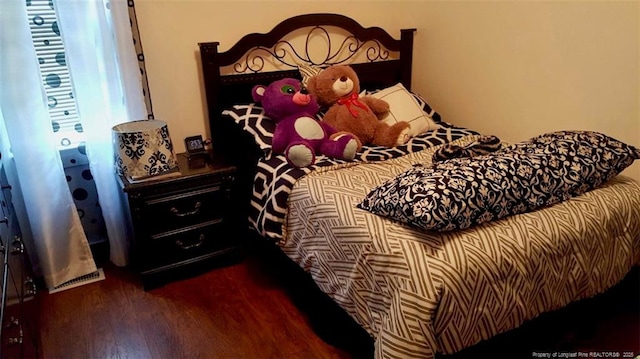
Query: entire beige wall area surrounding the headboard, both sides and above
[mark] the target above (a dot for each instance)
(512, 68)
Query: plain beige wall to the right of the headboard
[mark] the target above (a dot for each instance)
(517, 69)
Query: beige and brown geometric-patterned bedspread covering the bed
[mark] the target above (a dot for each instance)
(418, 293)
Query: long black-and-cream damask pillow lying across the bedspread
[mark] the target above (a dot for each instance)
(461, 192)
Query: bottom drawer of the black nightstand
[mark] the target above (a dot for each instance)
(181, 245)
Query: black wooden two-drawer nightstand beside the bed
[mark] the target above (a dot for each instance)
(183, 224)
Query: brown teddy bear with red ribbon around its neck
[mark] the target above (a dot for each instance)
(337, 89)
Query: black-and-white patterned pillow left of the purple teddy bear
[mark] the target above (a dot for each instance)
(252, 119)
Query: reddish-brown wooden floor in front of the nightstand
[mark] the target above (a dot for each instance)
(232, 312)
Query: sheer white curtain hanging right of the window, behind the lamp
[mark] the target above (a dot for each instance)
(106, 76)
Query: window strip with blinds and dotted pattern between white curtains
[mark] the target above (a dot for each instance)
(56, 79)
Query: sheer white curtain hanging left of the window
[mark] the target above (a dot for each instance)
(63, 252)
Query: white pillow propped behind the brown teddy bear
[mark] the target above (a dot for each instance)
(403, 107)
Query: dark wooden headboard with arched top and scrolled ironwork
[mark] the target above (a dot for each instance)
(379, 59)
